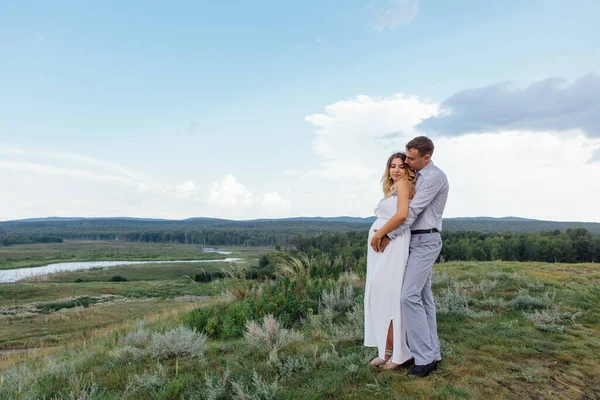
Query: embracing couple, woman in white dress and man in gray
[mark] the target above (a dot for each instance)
(404, 243)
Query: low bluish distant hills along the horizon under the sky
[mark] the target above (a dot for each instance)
(302, 224)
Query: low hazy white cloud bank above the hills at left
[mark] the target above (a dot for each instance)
(79, 185)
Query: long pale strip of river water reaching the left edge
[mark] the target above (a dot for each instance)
(13, 275)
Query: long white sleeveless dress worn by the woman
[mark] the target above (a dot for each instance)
(385, 275)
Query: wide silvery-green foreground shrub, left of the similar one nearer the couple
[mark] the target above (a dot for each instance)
(180, 341)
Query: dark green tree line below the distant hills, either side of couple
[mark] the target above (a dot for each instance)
(570, 246)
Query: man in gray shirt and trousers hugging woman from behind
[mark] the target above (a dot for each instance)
(425, 221)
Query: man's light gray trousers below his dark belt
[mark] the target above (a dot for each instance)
(418, 308)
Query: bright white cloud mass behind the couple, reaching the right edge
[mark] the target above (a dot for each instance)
(530, 174)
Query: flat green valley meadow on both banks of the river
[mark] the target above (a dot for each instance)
(48, 311)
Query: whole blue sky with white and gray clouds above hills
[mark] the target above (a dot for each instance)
(271, 109)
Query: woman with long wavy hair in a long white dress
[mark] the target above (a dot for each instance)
(385, 271)
